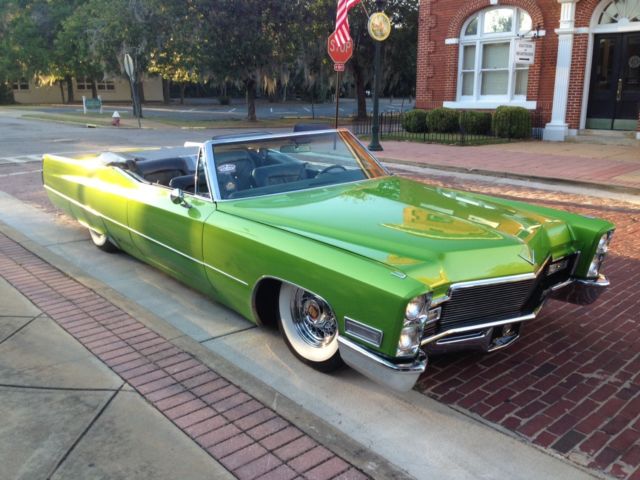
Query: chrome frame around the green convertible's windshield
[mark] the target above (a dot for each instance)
(209, 145)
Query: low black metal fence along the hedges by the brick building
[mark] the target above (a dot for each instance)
(391, 127)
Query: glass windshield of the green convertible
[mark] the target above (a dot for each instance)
(284, 164)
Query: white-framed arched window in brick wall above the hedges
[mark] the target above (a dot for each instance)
(487, 70)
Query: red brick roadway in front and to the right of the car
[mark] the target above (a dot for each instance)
(571, 384)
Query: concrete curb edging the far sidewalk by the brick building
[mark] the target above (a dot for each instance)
(516, 176)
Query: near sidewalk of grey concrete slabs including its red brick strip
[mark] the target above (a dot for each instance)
(88, 391)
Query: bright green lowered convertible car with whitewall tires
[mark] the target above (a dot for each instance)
(308, 231)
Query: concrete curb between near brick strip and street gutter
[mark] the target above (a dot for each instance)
(325, 434)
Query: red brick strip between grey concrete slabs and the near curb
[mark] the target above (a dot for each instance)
(248, 438)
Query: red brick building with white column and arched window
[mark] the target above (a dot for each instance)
(585, 72)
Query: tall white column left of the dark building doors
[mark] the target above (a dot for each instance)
(558, 129)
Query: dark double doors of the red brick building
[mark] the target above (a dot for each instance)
(614, 93)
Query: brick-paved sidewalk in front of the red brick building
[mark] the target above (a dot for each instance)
(612, 167)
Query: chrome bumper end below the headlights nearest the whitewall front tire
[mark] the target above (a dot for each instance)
(401, 377)
